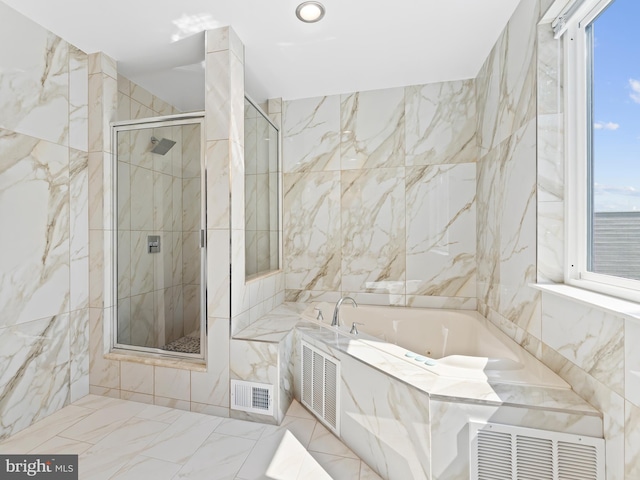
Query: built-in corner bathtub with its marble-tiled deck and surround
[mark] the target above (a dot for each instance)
(403, 419)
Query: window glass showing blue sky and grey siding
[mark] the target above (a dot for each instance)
(614, 153)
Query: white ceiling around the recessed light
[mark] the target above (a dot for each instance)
(359, 45)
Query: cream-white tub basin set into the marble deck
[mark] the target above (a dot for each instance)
(449, 343)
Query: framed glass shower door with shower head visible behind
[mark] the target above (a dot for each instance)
(159, 236)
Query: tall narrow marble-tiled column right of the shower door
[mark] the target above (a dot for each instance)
(224, 159)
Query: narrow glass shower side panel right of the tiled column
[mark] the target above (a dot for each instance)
(262, 177)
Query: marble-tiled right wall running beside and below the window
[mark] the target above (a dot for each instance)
(590, 349)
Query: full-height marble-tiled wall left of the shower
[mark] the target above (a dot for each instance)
(44, 264)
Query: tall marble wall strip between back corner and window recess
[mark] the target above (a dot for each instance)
(507, 187)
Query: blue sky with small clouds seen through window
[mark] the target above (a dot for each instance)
(617, 107)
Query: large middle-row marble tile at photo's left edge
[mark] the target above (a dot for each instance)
(34, 279)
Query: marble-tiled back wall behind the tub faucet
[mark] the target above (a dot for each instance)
(380, 196)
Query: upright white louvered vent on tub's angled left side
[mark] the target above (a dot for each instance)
(320, 386)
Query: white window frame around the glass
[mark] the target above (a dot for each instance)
(576, 137)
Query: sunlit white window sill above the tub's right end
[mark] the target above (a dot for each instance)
(600, 301)
